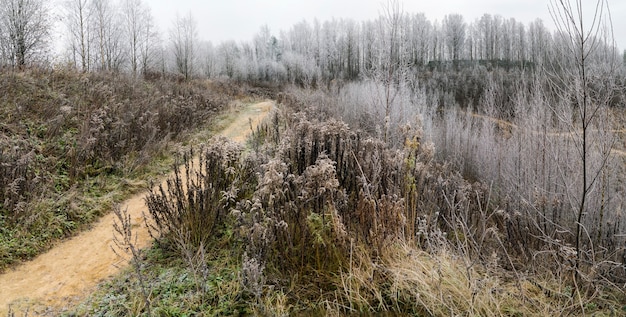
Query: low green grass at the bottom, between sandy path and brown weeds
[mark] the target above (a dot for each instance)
(173, 289)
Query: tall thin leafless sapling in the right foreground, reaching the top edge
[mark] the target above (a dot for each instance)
(584, 84)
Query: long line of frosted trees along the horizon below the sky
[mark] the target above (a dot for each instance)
(123, 36)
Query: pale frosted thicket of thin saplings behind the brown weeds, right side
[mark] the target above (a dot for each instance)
(514, 140)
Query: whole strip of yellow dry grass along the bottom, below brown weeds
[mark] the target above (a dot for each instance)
(441, 283)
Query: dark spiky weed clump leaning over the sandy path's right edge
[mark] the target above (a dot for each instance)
(202, 192)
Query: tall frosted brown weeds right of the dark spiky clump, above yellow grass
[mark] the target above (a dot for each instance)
(328, 187)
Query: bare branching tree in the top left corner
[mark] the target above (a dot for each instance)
(26, 30)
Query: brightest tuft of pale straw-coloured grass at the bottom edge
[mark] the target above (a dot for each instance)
(444, 284)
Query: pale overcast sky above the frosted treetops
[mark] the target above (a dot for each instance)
(240, 20)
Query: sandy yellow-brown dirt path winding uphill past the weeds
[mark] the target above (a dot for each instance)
(70, 270)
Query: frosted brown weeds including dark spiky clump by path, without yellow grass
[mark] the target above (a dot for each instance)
(313, 193)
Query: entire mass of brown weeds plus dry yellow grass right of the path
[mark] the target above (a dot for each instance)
(319, 212)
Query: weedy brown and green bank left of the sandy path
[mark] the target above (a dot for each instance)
(74, 145)
